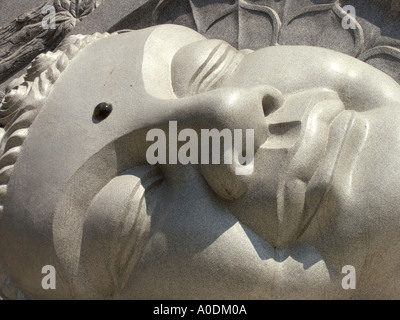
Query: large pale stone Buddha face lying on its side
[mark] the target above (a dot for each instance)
(79, 193)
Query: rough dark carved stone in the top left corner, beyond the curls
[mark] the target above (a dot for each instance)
(26, 37)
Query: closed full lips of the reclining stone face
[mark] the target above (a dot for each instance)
(297, 202)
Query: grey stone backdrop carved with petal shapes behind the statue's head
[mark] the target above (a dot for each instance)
(252, 24)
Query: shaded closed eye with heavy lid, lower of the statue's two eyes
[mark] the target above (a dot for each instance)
(117, 228)
